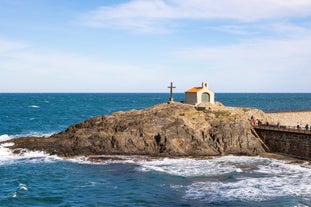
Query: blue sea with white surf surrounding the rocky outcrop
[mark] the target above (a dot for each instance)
(37, 179)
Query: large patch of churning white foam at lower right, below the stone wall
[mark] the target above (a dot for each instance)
(237, 178)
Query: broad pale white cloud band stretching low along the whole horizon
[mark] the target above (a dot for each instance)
(254, 66)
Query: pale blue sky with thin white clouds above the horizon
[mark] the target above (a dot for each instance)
(143, 45)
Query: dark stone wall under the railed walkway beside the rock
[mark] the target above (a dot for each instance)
(293, 143)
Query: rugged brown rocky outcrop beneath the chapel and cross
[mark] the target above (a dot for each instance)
(168, 129)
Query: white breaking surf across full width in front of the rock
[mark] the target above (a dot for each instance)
(223, 179)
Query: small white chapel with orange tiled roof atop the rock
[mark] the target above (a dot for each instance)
(200, 95)
